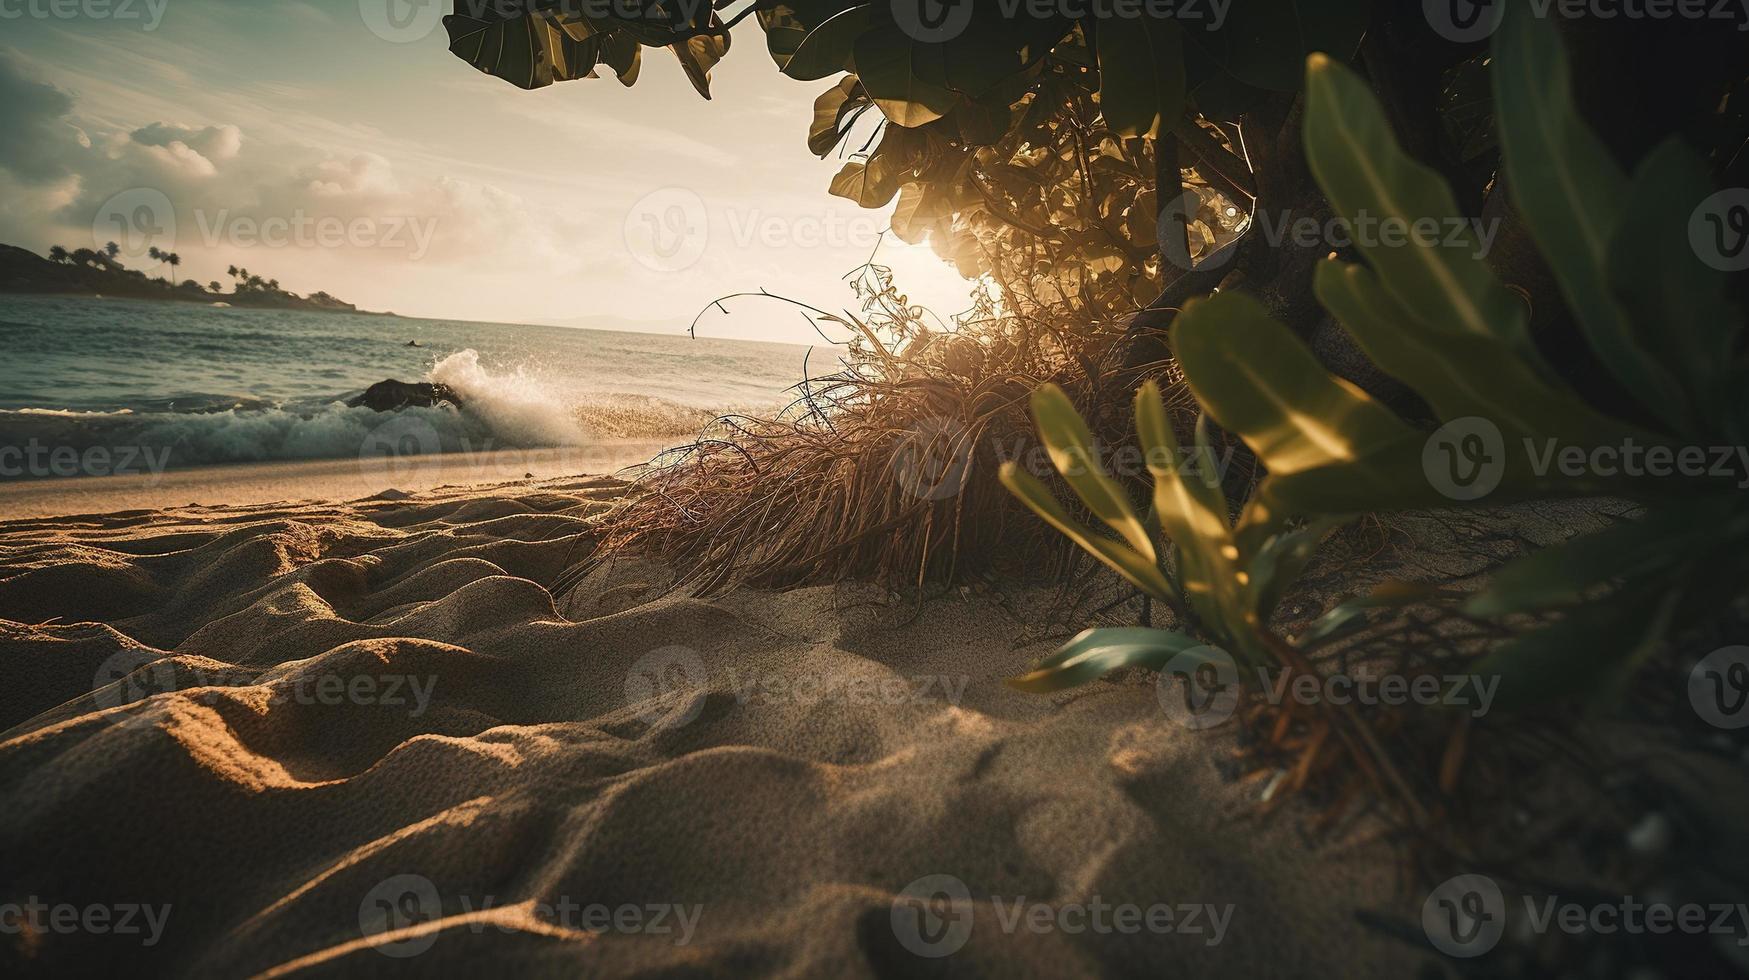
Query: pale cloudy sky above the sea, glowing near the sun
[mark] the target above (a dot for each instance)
(323, 144)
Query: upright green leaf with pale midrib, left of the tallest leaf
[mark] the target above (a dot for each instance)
(1370, 181)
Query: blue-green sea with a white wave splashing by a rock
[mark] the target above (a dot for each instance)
(172, 386)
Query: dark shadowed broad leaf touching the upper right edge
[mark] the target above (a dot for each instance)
(1678, 302)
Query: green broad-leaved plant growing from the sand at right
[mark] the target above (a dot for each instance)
(1437, 318)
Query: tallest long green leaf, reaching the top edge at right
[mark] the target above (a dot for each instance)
(1571, 195)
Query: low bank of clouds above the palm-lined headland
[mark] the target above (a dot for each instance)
(312, 218)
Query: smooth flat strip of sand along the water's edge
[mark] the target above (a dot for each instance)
(274, 482)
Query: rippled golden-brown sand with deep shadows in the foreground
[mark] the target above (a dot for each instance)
(382, 738)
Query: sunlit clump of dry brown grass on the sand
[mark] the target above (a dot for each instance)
(886, 470)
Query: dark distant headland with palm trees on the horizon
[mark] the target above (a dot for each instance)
(94, 272)
